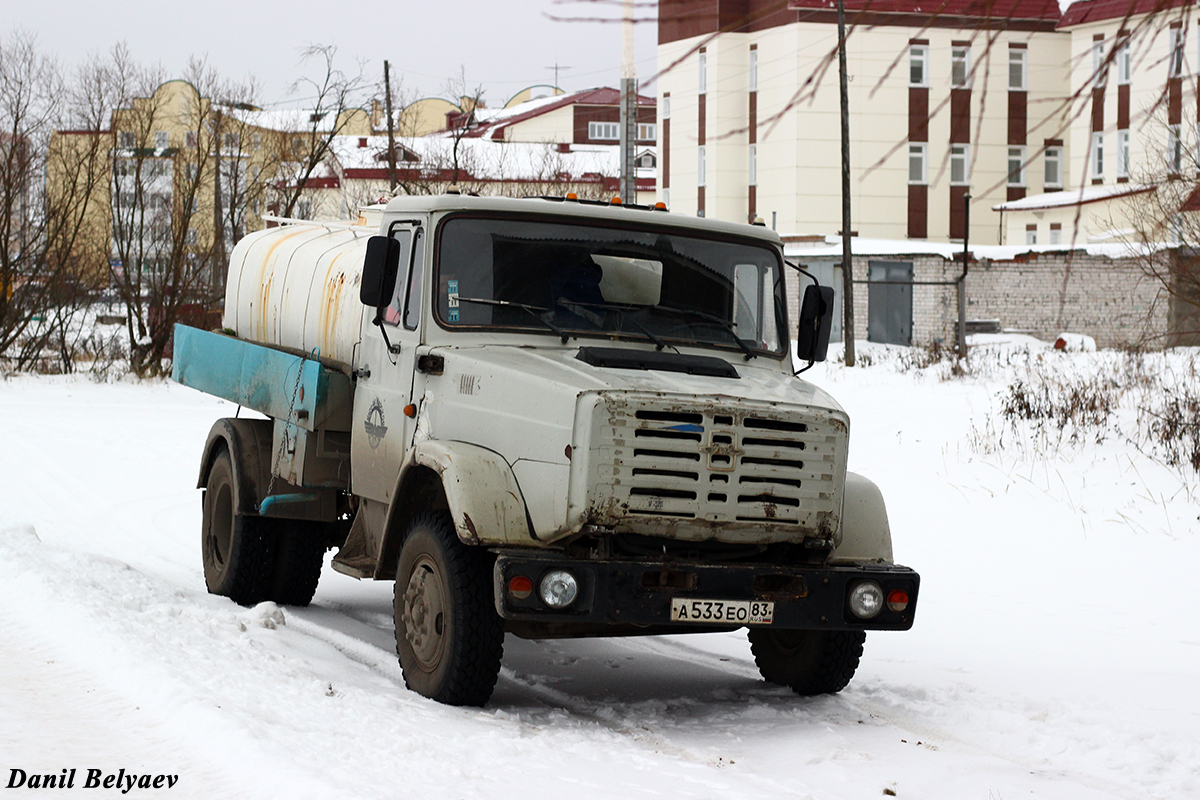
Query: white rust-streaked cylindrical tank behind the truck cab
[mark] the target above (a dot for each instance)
(298, 287)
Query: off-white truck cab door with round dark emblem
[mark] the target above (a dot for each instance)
(386, 364)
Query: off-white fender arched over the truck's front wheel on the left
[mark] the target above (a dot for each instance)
(481, 490)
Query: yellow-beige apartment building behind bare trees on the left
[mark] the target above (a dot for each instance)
(148, 183)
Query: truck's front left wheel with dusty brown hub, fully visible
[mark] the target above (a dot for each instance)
(448, 634)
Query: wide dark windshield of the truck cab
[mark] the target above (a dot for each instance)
(569, 279)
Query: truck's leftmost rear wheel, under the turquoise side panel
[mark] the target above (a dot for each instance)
(238, 550)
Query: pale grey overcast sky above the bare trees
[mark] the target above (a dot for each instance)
(502, 45)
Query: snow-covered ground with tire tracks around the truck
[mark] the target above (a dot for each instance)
(1057, 651)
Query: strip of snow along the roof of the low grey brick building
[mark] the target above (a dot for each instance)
(830, 249)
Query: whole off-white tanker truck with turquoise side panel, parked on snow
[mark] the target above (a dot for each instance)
(548, 418)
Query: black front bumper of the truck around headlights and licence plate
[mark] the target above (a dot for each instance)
(633, 593)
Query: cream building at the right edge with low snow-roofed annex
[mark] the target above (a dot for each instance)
(1132, 71)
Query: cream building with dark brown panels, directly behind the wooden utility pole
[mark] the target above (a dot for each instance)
(940, 104)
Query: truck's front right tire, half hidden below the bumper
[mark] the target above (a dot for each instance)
(811, 663)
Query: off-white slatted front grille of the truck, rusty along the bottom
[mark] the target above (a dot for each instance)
(729, 467)
